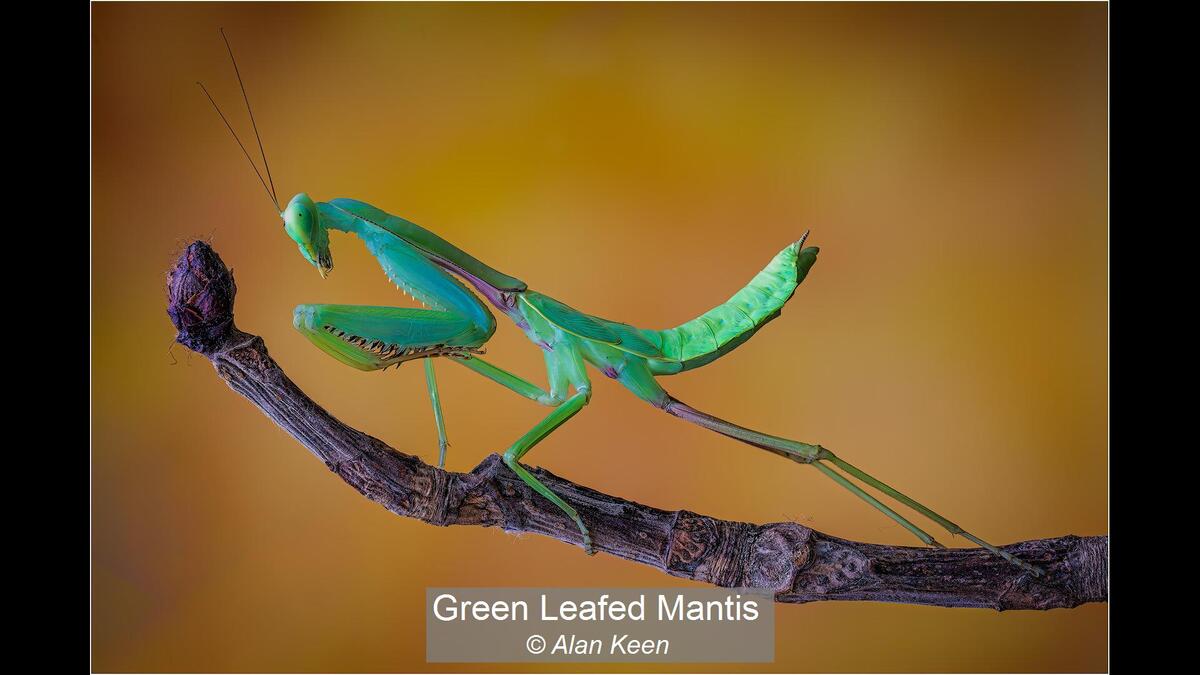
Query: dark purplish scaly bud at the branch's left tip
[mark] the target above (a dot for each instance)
(200, 298)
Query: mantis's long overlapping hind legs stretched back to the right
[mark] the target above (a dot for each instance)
(643, 384)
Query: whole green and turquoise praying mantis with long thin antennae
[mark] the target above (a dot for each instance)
(455, 325)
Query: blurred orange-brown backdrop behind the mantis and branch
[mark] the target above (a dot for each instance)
(640, 163)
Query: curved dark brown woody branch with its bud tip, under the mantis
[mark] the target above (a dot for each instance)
(799, 564)
